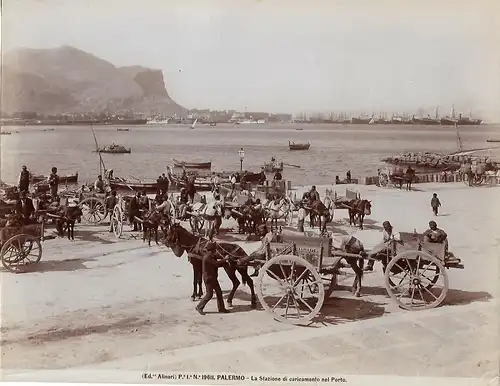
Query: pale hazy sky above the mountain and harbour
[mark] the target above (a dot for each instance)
(287, 56)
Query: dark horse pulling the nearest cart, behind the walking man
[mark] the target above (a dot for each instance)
(180, 239)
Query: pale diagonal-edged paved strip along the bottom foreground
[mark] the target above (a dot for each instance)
(451, 341)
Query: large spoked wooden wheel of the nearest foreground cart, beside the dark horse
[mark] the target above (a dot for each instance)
(290, 289)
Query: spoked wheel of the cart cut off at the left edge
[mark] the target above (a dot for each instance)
(20, 251)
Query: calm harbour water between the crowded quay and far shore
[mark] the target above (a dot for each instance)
(334, 148)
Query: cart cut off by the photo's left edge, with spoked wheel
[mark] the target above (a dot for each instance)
(21, 246)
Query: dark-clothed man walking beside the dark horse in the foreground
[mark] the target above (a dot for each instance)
(210, 266)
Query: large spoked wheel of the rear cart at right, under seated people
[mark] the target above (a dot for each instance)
(421, 281)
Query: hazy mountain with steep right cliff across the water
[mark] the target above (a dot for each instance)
(66, 79)
